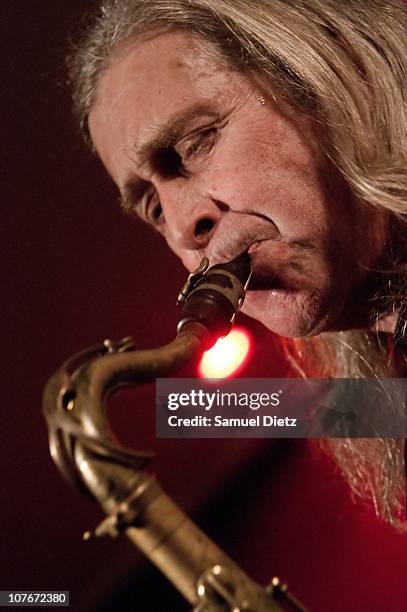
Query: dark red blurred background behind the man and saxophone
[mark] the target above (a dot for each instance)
(76, 271)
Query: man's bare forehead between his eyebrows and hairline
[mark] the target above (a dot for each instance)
(145, 83)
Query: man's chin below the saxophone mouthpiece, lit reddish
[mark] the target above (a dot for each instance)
(292, 314)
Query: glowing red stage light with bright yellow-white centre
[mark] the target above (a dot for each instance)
(227, 356)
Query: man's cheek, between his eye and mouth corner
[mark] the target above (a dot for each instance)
(284, 185)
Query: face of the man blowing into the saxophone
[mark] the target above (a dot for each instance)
(207, 156)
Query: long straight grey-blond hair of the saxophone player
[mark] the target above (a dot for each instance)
(345, 64)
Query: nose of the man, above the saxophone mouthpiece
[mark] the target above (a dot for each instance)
(190, 218)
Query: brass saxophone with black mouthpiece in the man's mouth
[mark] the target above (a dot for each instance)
(88, 457)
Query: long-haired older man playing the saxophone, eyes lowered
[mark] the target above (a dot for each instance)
(279, 128)
